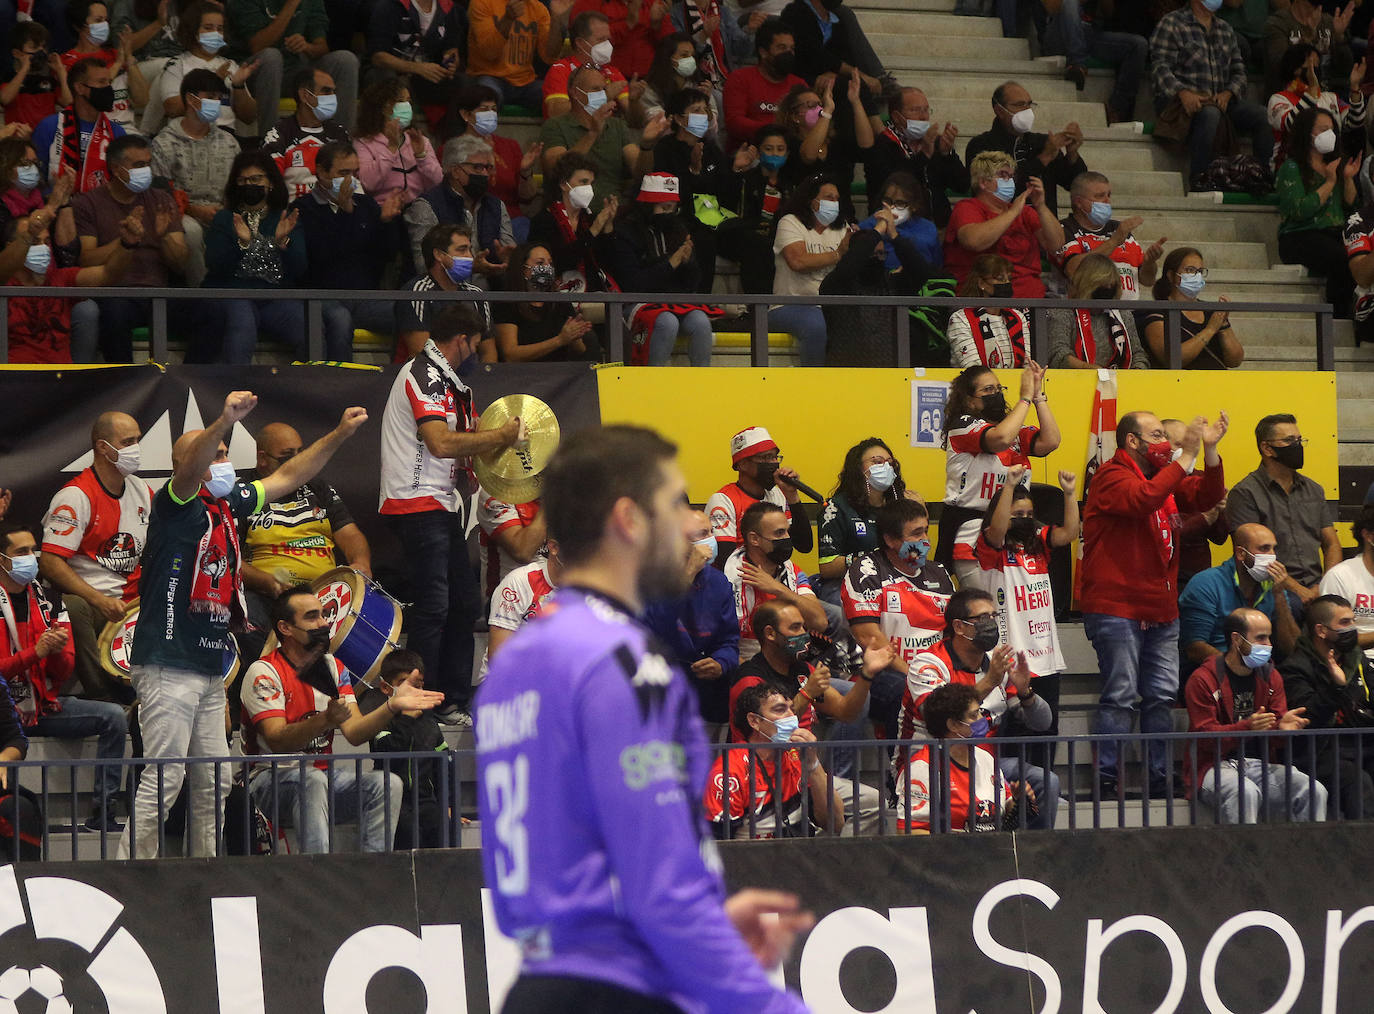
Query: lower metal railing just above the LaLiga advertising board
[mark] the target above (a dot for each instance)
(255, 820)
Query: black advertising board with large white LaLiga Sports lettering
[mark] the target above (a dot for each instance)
(1125, 923)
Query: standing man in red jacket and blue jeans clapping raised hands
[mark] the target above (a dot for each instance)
(1130, 575)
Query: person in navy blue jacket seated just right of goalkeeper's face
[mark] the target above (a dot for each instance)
(701, 629)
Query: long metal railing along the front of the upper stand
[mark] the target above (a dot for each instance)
(616, 325)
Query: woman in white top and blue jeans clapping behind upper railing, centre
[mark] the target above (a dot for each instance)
(810, 243)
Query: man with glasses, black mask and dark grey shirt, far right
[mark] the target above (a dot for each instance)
(1288, 504)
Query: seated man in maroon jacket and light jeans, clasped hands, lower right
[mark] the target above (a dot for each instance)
(1243, 692)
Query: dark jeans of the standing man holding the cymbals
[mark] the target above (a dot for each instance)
(439, 626)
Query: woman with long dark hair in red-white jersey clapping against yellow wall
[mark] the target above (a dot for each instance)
(984, 438)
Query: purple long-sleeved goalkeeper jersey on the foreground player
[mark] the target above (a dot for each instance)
(592, 765)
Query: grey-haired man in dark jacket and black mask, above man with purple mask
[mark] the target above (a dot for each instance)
(462, 197)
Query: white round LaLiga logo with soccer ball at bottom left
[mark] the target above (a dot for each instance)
(75, 913)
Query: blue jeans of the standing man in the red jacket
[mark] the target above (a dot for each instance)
(1137, 660)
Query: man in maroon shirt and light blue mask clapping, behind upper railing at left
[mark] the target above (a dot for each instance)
(98, 219)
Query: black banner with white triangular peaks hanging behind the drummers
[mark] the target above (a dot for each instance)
(46, 422)
